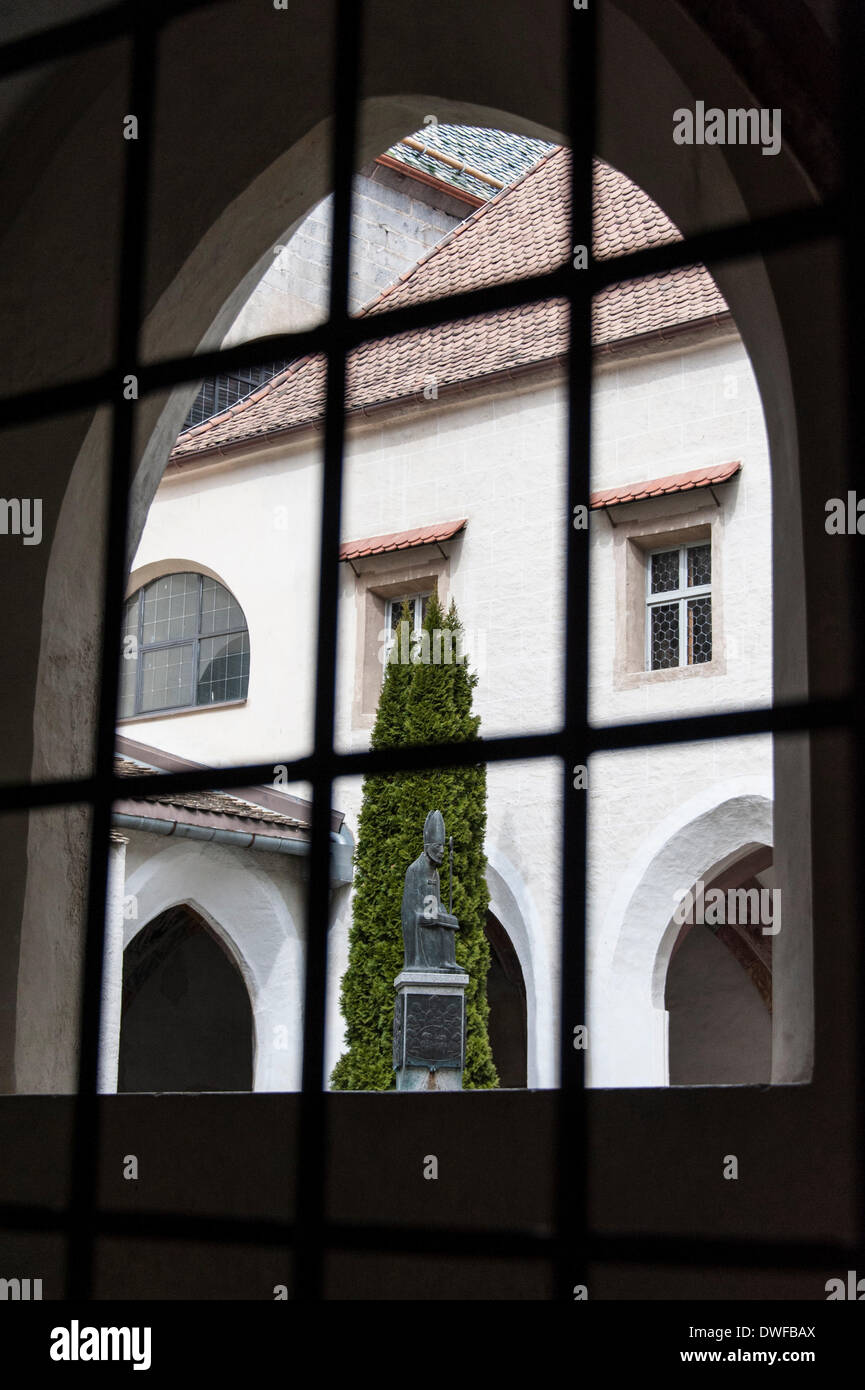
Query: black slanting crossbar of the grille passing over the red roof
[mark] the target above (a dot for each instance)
(761, 237)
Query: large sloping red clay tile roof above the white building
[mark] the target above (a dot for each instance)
(522, 231)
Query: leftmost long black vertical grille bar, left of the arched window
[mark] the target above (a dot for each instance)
(130, 300)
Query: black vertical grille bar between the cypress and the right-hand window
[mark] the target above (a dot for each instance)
(571, 1121)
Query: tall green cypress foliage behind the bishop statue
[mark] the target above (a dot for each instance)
(428, 701)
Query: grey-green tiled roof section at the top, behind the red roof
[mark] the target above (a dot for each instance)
(499, 154)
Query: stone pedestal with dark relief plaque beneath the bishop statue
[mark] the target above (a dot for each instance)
(430, 1031)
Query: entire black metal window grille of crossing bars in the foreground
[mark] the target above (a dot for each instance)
(572, 1243)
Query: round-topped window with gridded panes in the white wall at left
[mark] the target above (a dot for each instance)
(186, 646)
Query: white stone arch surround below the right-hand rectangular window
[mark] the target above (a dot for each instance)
(697, 840)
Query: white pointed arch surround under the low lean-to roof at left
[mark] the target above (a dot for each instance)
(250, 917)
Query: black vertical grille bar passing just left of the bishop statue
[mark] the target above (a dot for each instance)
(312, 1157)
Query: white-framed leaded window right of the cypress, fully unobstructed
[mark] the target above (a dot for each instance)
(679, 607)
